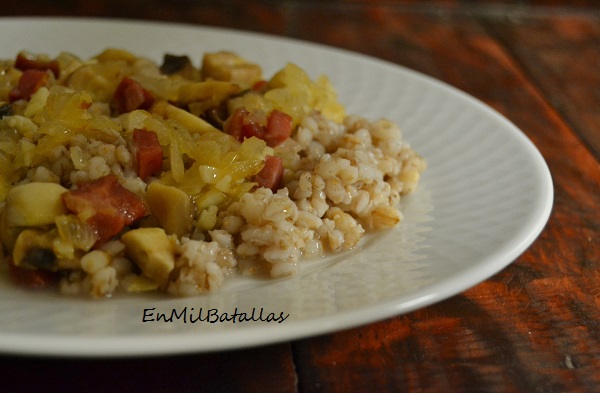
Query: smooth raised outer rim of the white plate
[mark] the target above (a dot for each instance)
(99, 346)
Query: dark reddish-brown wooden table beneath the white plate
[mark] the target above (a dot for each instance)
(533, 327)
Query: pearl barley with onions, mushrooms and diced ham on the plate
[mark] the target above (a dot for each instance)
(121, 175)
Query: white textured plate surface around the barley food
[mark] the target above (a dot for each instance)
(485, 197)
